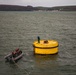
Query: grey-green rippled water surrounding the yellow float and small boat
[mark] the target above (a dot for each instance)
(20, 30)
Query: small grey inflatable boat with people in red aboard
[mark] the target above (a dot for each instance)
(14, 56)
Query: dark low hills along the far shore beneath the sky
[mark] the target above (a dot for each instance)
(31, 8)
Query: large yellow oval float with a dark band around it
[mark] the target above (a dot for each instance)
(45, 47)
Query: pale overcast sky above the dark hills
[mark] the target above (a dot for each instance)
(46, 3)
